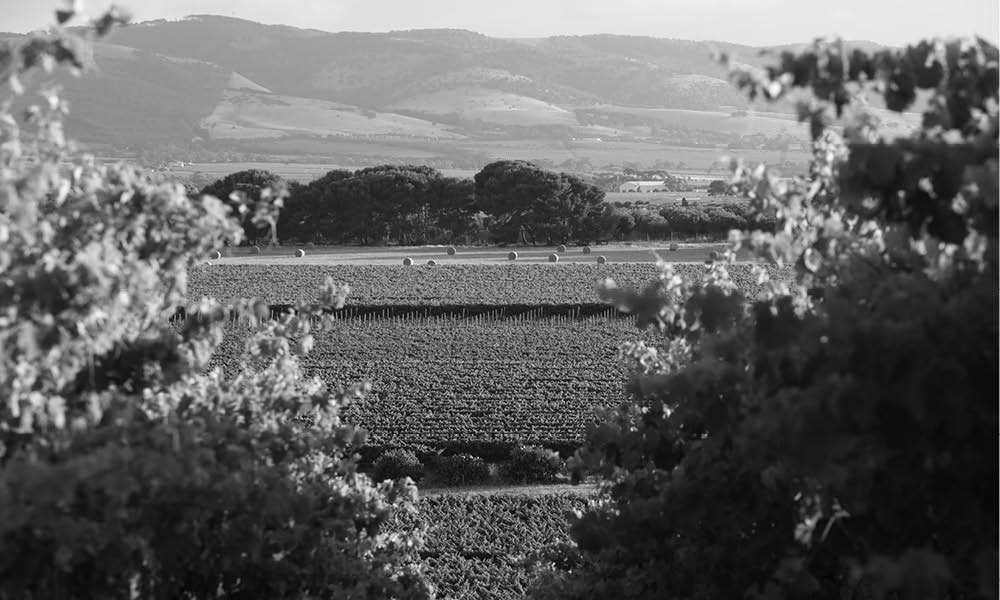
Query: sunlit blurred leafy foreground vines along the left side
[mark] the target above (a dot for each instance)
(127, 469)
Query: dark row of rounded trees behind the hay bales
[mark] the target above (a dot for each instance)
(507, 202)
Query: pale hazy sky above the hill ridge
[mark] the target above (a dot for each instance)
(756, 22)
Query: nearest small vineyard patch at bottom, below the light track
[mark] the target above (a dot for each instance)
(476, 545)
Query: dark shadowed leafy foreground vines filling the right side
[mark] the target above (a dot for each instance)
(836, 437)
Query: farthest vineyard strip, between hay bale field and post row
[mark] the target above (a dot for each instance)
(440, 285)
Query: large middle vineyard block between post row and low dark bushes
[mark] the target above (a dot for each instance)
(445, 381)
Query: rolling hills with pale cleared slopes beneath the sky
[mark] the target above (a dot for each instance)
(218, 83)
